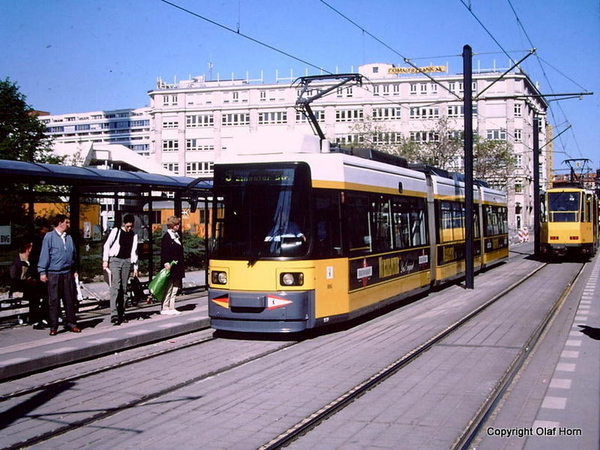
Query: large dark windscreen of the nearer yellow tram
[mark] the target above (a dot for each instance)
(264, 211)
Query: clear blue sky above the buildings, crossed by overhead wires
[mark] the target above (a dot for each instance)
(69, 56)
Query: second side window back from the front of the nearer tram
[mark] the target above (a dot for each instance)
(356, 222)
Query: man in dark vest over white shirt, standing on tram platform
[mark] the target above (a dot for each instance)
(119, 255)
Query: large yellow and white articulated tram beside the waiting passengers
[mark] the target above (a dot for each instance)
(316, 237)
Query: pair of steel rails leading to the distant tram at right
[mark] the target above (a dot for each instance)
(311, 422)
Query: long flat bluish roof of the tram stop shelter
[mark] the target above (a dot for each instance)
(53, 174)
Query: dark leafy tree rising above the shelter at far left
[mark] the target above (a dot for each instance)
(22, 135)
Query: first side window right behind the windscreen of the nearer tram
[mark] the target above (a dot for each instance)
(327, 219)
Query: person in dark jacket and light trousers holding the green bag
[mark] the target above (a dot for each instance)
(171, 250)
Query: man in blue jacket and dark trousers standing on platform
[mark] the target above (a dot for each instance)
(57, 268)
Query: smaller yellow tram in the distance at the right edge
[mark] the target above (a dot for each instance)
(569, 222)
